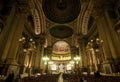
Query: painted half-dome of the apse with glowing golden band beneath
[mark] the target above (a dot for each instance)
(61, 51)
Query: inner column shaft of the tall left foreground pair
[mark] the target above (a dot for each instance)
(17, 32)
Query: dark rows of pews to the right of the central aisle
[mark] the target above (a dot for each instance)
(91, 78)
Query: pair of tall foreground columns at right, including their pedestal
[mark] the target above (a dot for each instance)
(107, 34)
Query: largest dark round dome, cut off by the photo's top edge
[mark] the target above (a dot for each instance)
(61, 11)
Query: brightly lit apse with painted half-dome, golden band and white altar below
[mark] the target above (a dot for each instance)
(61, 54)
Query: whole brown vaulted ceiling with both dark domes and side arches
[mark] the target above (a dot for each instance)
(62, 20)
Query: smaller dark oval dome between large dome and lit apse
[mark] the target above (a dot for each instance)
(61, 31)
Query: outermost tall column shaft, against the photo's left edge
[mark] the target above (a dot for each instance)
(5, 35)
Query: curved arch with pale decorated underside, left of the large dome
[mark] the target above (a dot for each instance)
(39, 19)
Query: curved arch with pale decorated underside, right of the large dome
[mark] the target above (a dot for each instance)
(83, 19)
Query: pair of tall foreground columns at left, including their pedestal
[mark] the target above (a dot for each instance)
(12, 33)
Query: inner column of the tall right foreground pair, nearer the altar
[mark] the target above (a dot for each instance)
(101, 24)
